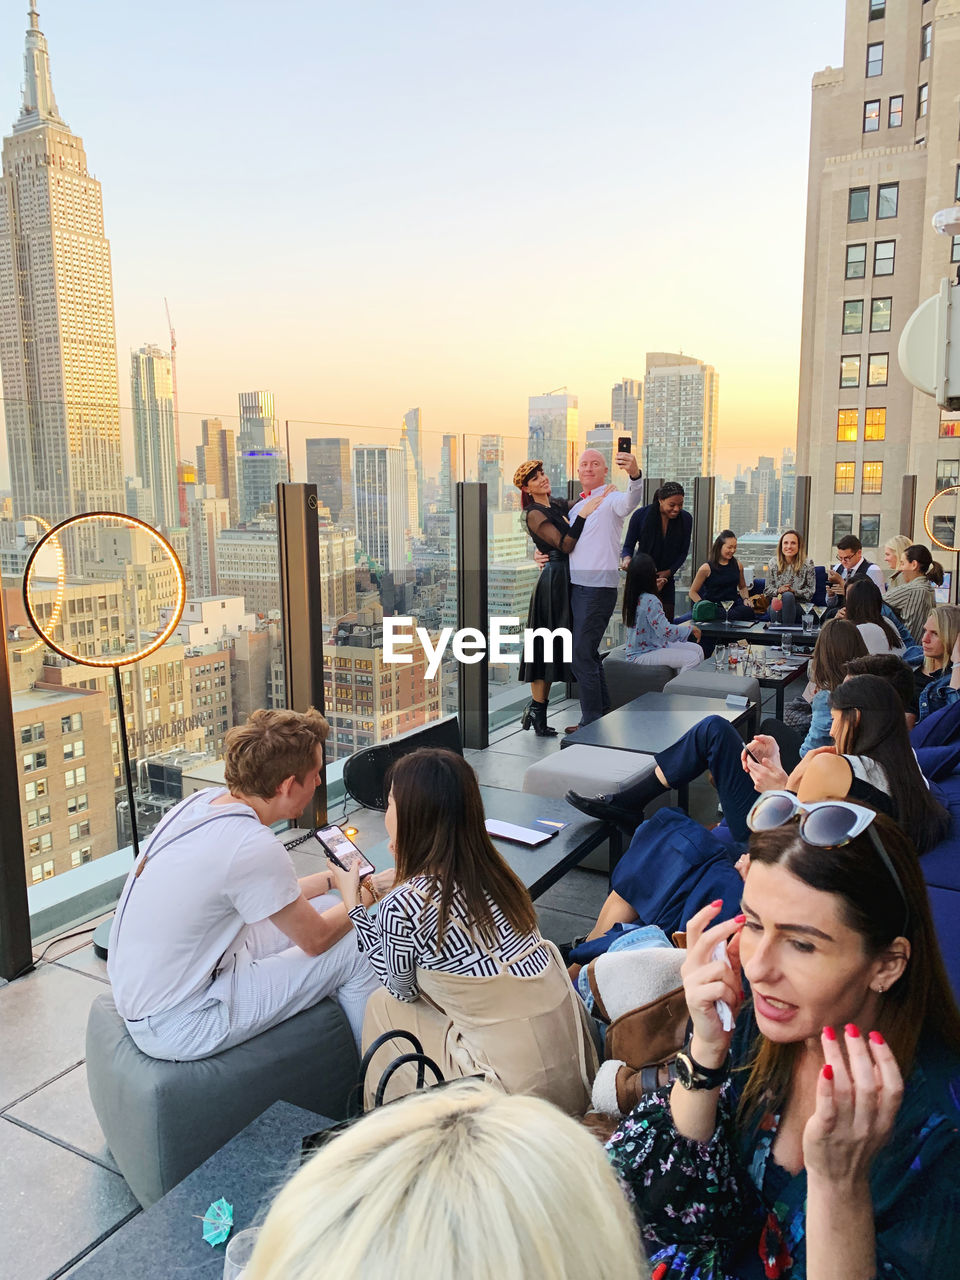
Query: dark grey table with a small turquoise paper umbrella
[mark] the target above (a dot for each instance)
(166, 1242)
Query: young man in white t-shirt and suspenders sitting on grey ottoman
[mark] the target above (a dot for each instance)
(216, 940)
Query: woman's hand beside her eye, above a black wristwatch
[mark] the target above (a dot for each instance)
(706, 981)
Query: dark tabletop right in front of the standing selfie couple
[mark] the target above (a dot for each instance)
(653, 723)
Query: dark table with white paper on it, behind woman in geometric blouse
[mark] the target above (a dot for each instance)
(542, 867)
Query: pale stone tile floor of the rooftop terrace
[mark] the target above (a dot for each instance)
(60, 1187)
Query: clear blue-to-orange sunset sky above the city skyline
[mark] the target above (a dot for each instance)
(369, 207)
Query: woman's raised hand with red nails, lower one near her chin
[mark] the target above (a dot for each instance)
(857, 1105)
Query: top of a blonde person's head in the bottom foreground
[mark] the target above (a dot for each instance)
(454, 1183)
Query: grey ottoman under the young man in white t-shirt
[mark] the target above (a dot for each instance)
(163, 1119)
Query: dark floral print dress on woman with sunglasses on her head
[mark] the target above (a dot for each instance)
(725, 1210)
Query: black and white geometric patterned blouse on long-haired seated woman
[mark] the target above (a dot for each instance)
(404, 936)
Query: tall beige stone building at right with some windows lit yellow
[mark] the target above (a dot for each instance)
(884, 159)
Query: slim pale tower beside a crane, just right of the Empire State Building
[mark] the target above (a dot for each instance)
(152, 397)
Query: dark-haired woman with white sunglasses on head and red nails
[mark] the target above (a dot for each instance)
(816, 1132)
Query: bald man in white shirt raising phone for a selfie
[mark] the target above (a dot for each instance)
(595, 574)
